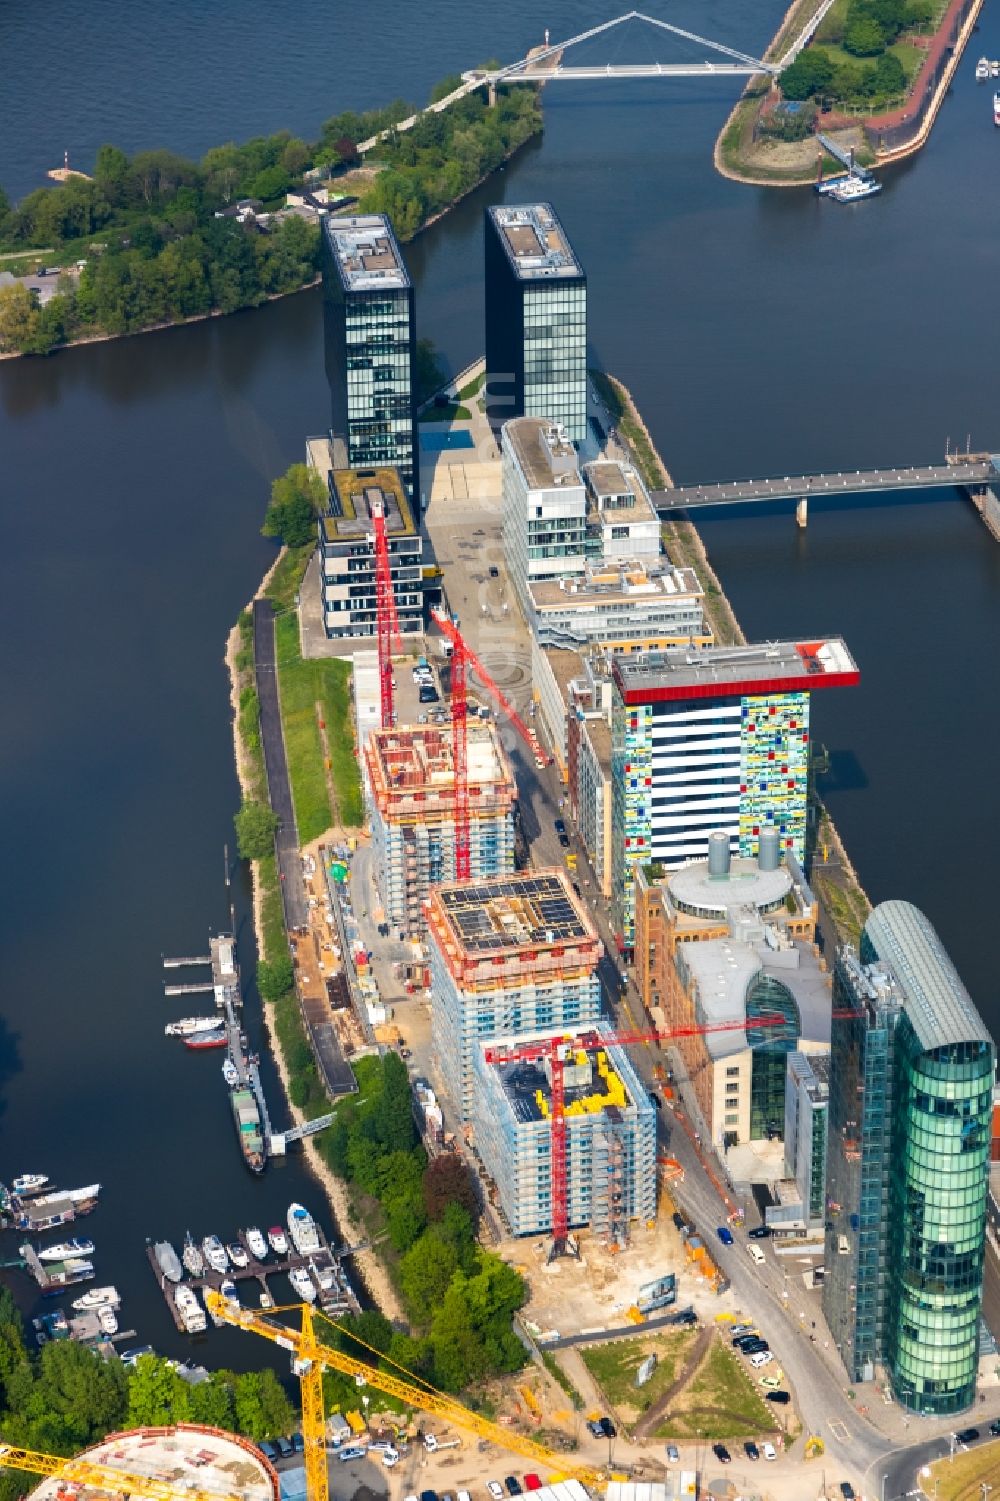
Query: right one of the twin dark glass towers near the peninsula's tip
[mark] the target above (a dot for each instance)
(537, 320)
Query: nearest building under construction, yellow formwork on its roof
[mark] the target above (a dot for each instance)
(610, 1140)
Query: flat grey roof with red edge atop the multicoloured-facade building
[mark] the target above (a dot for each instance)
(776, 667)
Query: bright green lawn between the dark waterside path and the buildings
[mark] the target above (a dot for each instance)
(301, 687)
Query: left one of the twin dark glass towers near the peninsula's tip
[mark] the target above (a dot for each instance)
(370, 347)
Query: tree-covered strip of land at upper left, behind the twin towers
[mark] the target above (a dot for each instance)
(154, 239)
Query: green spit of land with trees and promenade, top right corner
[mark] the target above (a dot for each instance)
(872, 79)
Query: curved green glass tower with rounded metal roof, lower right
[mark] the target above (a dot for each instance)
(912, 1069)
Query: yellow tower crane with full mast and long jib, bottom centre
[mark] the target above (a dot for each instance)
(312, 1358)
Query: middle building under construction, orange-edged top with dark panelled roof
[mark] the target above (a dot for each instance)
(510, 958)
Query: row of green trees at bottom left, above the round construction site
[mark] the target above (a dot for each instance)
(68, 1398)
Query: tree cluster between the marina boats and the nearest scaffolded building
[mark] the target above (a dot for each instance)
(460, 1298)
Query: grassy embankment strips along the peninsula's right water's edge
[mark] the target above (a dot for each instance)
(834, 877)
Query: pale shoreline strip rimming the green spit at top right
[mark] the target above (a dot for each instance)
(875, 140)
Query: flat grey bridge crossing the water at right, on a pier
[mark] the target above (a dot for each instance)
(966, 471)
